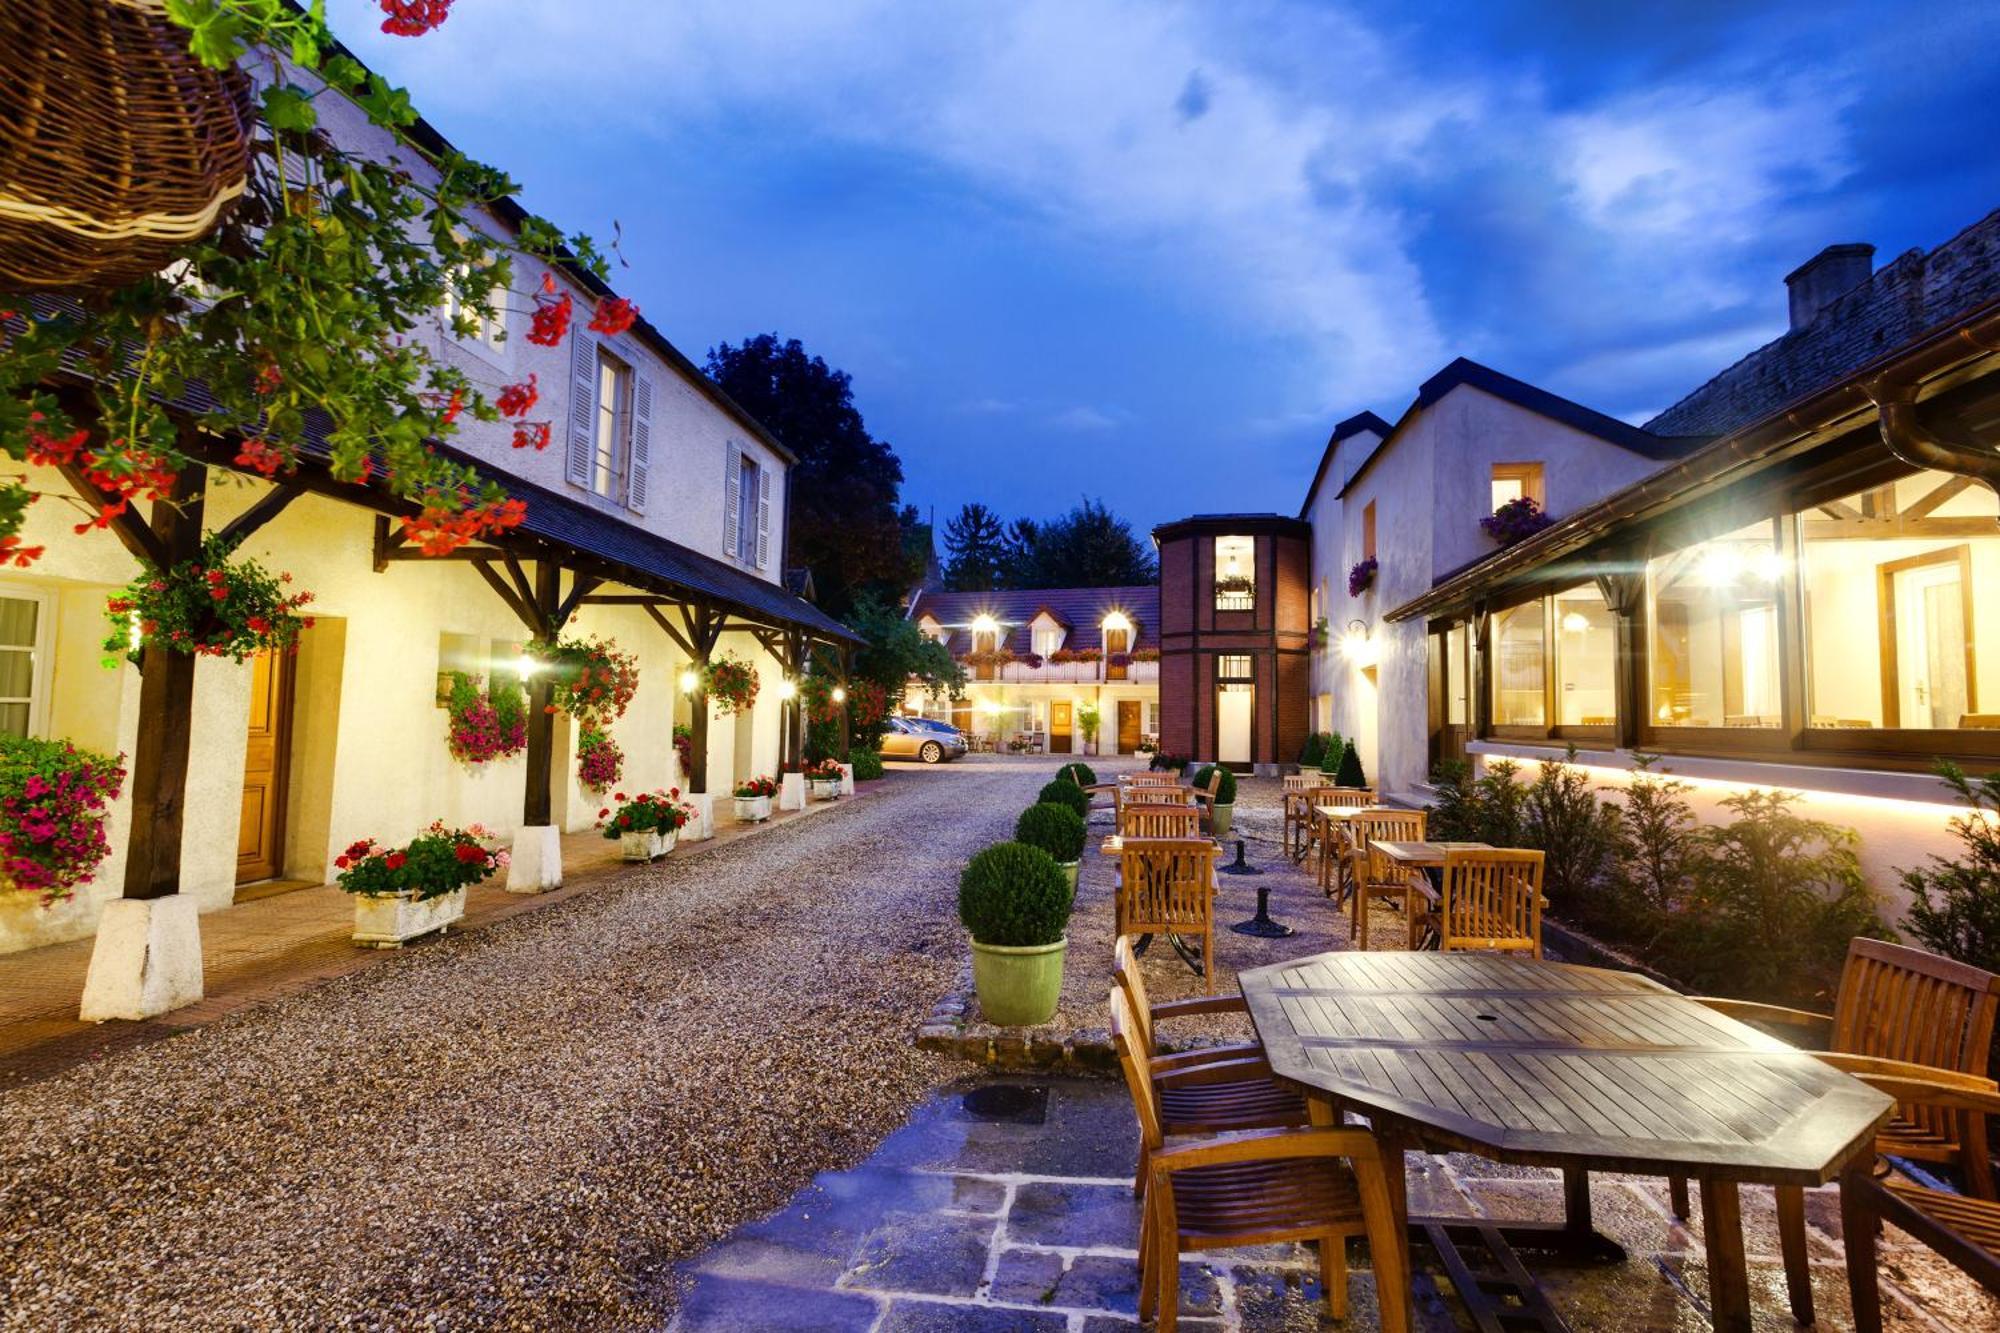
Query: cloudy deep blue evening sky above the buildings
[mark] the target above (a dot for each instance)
(1137, 249)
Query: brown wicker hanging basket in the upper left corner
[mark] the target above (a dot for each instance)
(117, 145)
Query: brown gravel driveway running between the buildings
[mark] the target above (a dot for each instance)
(525, 1126)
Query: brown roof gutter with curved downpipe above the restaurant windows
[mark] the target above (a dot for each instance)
(1763, 443)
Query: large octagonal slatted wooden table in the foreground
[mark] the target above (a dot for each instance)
(1559, 1066)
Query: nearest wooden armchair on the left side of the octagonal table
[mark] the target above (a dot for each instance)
(1315, 1186)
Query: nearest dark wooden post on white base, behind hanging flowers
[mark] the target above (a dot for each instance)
(165, 716)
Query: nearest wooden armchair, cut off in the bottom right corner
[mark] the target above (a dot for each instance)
(1965, 1232)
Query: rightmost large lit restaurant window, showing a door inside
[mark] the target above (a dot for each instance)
(1897, 631)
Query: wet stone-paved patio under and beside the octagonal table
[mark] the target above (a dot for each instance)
(1007, 1204)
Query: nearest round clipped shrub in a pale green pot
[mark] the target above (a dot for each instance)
(1015, 904)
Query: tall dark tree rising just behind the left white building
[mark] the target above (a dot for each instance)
(845, 517)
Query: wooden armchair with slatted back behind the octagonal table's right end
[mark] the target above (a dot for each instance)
(1905, 1006)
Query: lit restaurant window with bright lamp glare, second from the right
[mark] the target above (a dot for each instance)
(1713, 643)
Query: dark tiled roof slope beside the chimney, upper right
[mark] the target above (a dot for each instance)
(1901, 303)
